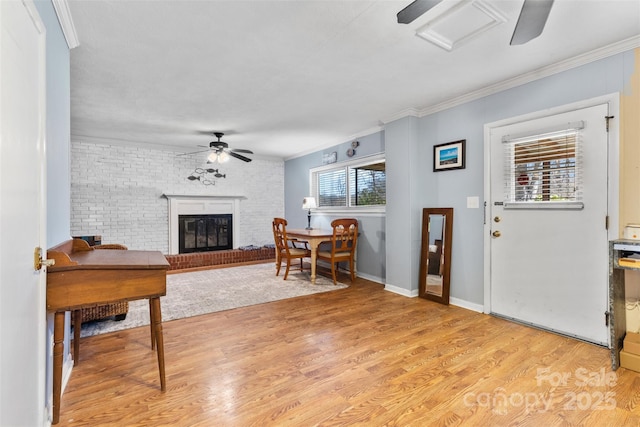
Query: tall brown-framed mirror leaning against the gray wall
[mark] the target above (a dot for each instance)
(435, 258)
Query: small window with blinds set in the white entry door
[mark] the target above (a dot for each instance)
(544, 170)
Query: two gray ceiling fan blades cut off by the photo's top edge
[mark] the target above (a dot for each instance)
(533, 17)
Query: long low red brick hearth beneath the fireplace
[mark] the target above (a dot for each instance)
(231, 256)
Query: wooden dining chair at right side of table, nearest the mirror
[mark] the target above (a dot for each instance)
(343, 245)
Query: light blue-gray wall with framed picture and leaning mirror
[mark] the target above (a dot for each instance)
(412, 184)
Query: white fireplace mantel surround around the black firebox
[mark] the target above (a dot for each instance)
(181, 204)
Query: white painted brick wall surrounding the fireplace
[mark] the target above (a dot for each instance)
(116, 192)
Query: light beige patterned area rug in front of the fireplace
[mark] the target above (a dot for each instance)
(207, 291)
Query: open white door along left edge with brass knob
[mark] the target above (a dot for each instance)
(22, 215)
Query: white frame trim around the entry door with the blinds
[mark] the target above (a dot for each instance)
(613, 205)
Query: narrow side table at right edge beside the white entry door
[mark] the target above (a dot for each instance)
(617, 307)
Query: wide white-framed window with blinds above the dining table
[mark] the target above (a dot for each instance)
(352, 184)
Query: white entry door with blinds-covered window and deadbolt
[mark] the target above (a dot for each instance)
(549, 257)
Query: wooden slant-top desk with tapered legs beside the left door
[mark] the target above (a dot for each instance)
(83, 277)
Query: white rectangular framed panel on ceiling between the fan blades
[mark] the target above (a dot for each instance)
(460, 23)
